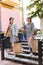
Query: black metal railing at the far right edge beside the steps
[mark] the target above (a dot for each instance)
(40, 52)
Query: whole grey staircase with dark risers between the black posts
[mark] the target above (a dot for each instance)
(24, 57)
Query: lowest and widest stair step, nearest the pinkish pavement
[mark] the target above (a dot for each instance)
(21, 60)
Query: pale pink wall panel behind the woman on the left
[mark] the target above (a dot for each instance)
(6, 14)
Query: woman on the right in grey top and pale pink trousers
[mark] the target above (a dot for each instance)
(30, 33)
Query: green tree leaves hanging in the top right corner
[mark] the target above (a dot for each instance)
(38, 5)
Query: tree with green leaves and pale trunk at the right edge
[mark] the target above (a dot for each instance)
(38, 5)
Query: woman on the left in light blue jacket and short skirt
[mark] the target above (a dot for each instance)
(13, 31)
